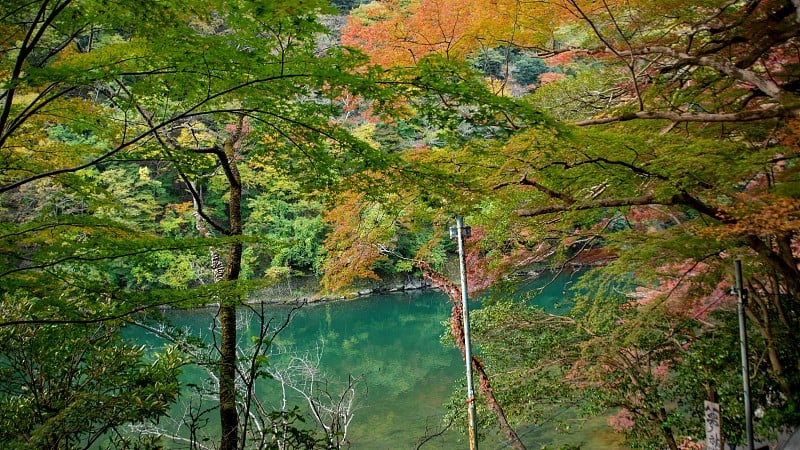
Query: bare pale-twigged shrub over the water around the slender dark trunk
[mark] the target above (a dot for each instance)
(267, 421)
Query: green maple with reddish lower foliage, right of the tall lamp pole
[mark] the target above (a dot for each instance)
(658, 202)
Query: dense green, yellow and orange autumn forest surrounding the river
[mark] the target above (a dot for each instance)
(180, 153)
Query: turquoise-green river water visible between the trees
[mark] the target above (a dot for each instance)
(394, 343)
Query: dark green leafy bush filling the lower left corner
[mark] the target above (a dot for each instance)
(68, 385)
